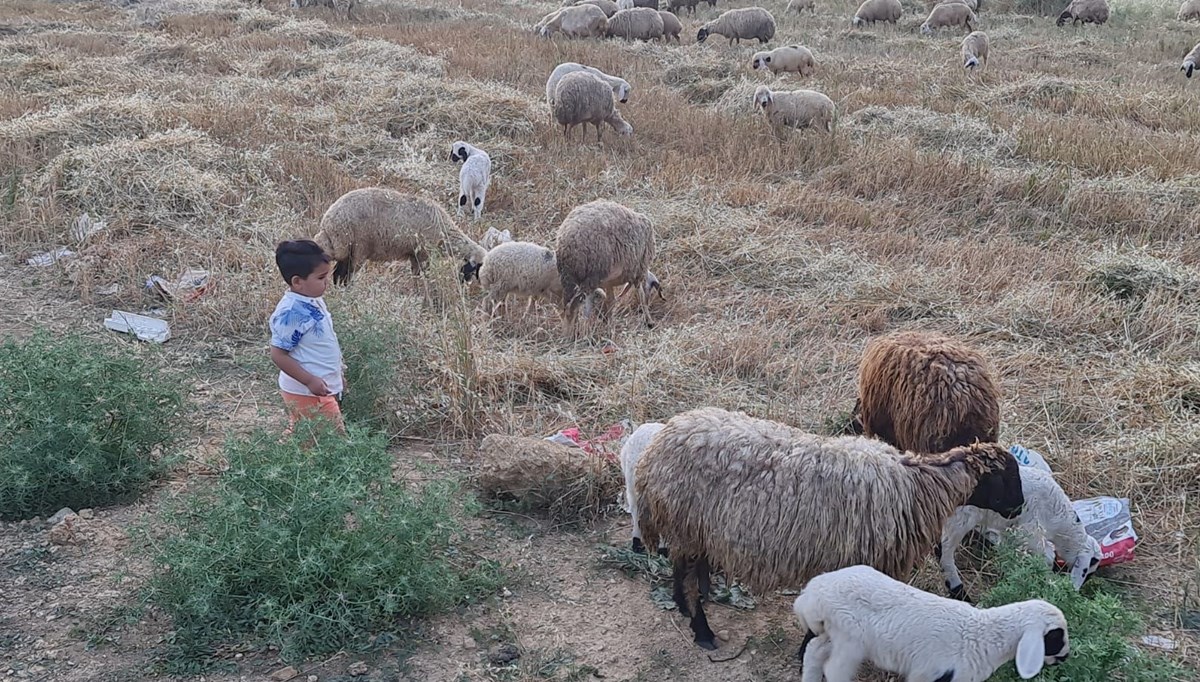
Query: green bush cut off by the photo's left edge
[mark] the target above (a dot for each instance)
(81, 426)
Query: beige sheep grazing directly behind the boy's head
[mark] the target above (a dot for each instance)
(377, 224)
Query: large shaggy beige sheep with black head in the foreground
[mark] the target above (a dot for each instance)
(773, 506)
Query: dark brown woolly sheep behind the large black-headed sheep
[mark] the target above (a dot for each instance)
(926, 393)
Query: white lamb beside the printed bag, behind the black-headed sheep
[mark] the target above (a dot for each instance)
(1048, 522)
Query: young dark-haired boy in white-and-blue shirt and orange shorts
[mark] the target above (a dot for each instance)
(304, 345)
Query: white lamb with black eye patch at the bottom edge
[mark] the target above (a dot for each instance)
(859, 614)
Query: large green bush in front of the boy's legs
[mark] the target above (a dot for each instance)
(309, 545)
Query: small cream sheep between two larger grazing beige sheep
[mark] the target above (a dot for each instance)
(520, 268)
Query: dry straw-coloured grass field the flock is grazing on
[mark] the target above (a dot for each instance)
(1046, 210)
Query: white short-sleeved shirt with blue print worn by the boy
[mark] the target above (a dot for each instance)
(303, 327)
